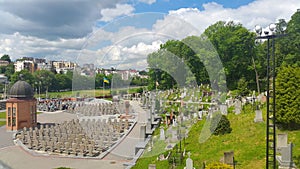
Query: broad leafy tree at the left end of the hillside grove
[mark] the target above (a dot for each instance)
(175, 64)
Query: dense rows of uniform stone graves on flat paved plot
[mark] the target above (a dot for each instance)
(92, 134)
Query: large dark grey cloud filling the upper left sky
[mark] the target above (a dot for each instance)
(51, 19)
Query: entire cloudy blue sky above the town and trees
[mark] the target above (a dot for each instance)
(120, 33)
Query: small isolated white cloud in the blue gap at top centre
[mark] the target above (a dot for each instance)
(109, 14)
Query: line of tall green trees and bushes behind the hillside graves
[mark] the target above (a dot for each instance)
(243, 60)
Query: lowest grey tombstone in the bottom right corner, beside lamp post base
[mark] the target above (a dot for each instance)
(286, 160)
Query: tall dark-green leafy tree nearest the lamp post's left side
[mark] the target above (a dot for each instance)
(234, 44)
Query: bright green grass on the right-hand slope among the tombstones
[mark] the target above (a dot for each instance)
(247, 140)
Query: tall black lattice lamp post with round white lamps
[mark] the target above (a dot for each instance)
(269, 34)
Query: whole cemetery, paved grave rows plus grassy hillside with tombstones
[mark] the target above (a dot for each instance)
(170, 139)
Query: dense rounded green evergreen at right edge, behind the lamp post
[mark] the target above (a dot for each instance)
(288, 97)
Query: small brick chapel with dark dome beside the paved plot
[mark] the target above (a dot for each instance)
(21, 107)
